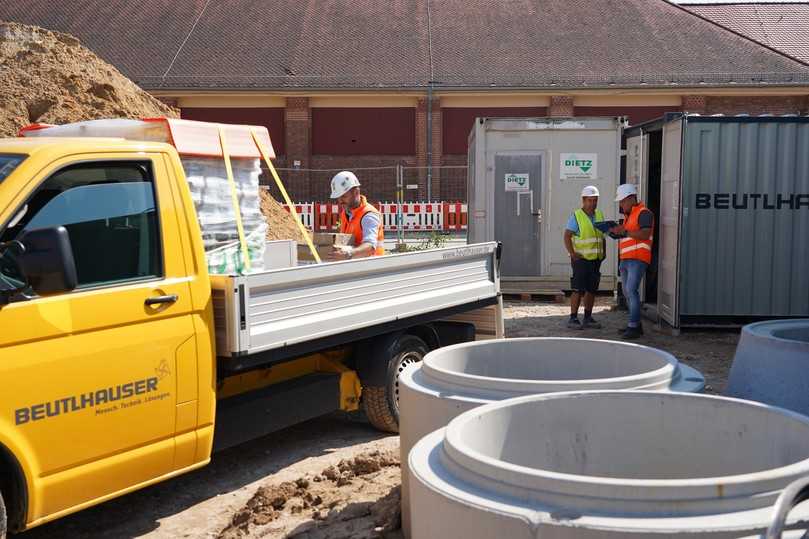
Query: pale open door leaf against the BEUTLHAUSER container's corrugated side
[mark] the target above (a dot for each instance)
(669, 222)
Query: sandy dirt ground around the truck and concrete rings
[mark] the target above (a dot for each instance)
(334, 477)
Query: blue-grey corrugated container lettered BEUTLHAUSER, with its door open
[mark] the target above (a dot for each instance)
(731, 199)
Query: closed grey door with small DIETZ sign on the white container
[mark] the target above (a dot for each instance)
(518, 188)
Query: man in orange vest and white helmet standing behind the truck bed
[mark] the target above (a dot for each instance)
(358, 218)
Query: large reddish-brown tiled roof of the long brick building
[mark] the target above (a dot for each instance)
(368, 44)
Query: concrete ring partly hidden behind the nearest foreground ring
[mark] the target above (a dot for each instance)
(459, 378)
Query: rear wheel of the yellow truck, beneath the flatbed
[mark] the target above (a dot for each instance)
(381, 403)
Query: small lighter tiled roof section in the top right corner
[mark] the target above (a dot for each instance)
(782, 26)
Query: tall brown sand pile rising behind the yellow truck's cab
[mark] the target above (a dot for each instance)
(50, 77)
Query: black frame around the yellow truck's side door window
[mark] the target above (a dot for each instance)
(146, 161)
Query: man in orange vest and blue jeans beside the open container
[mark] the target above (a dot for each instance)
(634, 251)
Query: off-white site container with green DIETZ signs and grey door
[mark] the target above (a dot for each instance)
(525, 181)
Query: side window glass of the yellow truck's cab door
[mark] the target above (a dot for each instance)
(110, 212)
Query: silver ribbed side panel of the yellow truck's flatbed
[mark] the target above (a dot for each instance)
(277, 313)
